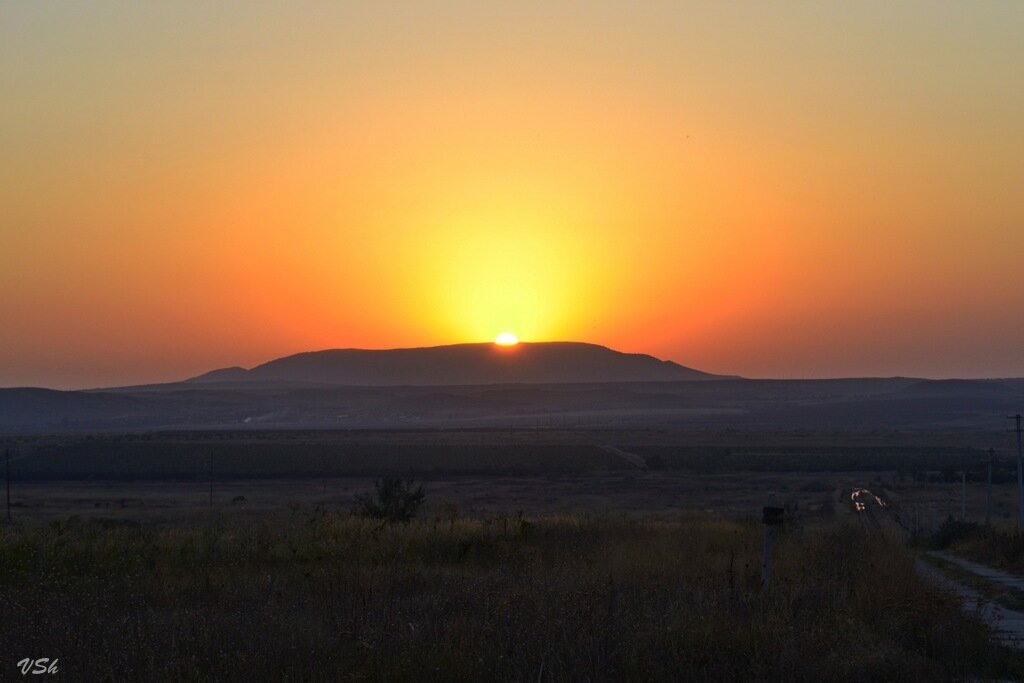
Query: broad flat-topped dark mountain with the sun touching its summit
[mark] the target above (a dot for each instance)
(541, 363)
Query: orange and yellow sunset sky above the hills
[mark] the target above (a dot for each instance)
(782, 190)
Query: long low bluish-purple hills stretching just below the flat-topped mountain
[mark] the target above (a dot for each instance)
(858, 405)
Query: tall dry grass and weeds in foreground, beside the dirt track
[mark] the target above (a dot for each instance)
(328, 596)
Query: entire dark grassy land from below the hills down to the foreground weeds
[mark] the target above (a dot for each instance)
(540, 556)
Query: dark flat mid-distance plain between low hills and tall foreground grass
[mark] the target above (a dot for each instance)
(163, 477)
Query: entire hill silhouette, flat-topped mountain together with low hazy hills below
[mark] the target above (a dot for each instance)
(485, 386)
